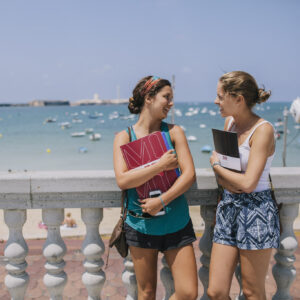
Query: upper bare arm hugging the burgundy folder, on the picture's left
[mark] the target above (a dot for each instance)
(133, 178)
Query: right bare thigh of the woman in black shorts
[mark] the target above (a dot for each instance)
(183, 266)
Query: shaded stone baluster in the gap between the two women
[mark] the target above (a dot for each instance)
(205, 245)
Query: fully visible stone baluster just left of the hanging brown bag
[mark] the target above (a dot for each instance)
(93, 248)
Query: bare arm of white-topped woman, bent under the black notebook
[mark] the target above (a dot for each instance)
(261, 147)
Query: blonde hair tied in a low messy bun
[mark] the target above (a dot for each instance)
(242, 83)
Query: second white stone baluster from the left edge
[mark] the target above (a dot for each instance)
(54, 250)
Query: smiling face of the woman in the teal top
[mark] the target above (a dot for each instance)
(162, 102)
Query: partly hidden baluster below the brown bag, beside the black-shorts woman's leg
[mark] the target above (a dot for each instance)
(129, 279)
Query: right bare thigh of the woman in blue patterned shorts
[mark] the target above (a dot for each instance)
(254, 267)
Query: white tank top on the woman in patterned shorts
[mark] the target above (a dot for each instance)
(244, 150)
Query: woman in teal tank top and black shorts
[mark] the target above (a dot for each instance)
(173, 232)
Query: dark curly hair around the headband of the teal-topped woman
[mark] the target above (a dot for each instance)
(136, 102)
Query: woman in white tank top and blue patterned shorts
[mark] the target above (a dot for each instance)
(247, 221)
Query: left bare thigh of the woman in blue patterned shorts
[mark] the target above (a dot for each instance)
(223, 262)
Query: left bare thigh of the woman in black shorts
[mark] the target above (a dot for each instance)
(145, 266)
